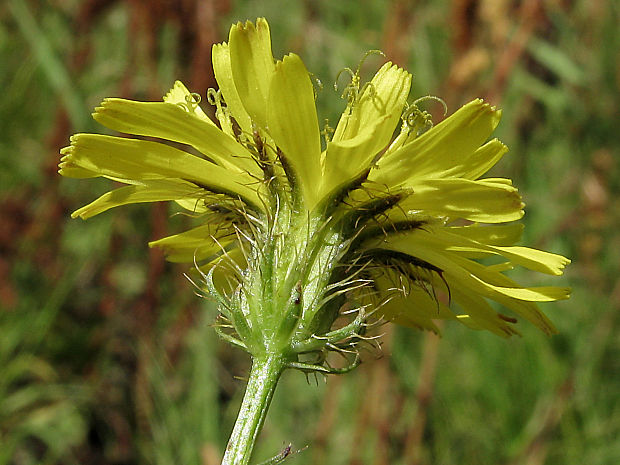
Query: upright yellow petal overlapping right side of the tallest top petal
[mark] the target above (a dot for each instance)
(293, 122)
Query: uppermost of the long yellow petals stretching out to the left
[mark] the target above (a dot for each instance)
(173, 122)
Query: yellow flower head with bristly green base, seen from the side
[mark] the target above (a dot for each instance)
(309, 231)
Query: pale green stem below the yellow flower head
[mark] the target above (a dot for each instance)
(264, 376)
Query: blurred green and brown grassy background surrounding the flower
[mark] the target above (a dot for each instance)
(106, 354)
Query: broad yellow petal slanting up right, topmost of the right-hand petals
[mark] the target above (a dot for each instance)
(441, 148)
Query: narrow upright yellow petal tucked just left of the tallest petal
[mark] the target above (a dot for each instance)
(223, 74)
